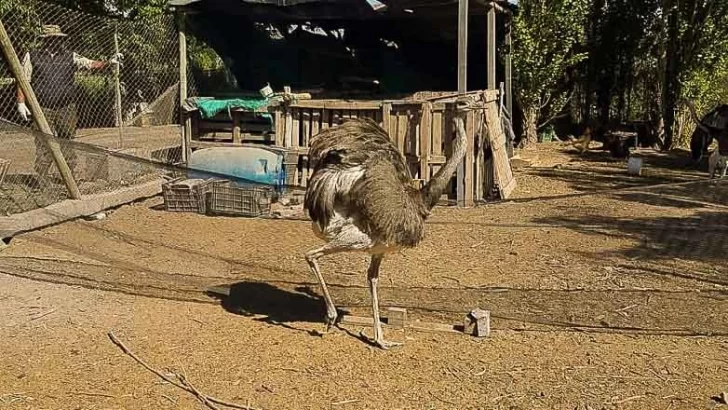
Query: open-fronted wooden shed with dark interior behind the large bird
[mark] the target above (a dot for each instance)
(419, 122)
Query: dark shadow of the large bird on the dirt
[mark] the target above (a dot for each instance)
(279, 307)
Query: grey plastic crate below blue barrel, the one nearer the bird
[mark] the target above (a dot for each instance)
(228, 199)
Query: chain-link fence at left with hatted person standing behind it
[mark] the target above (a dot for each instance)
(101, 81)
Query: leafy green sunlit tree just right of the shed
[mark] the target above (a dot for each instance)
(547, 35)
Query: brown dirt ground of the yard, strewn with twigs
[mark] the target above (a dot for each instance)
(607, 291)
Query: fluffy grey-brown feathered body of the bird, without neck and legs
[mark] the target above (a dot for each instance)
(360, 174)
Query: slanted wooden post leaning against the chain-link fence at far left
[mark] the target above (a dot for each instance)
(37, 113)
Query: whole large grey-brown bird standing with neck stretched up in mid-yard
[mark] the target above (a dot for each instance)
(361, 197)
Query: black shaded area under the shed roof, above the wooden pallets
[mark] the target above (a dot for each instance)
(409, 46)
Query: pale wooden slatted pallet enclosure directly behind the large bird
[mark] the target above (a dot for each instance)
(421, 127)
